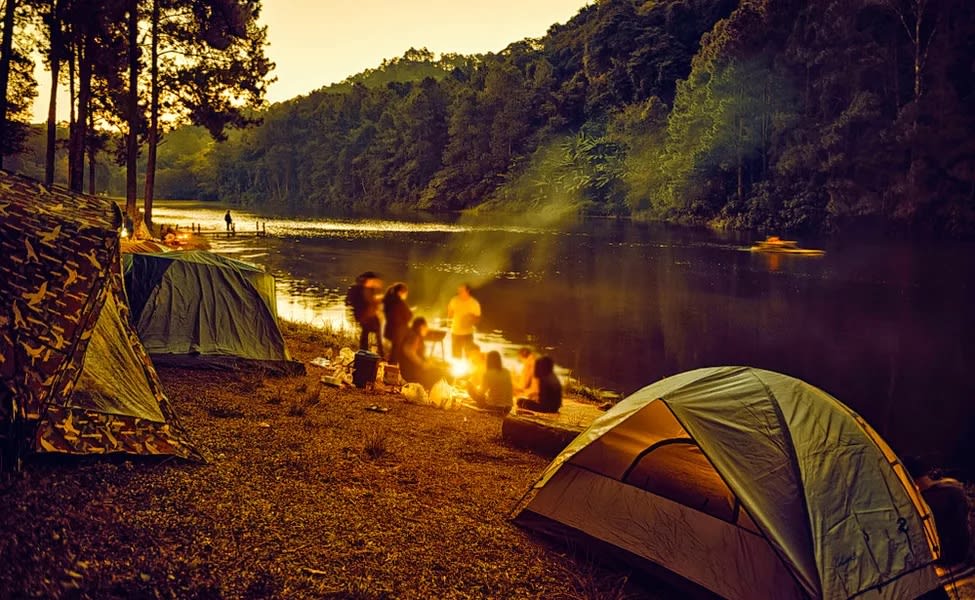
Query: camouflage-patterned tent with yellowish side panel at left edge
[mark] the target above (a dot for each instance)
(74, 377)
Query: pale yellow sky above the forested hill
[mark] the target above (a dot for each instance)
(318, 42)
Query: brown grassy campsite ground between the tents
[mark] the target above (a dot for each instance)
(306, 494)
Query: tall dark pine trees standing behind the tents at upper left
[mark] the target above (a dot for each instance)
(133, 70)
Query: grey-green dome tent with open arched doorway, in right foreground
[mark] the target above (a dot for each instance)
(747, 483)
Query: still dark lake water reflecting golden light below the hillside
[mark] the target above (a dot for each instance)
(886, 327)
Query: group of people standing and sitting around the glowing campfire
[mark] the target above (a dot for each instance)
(489, 384)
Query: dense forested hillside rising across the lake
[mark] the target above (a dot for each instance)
(770, 115)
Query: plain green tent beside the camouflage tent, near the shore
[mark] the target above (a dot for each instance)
(199, 309)
